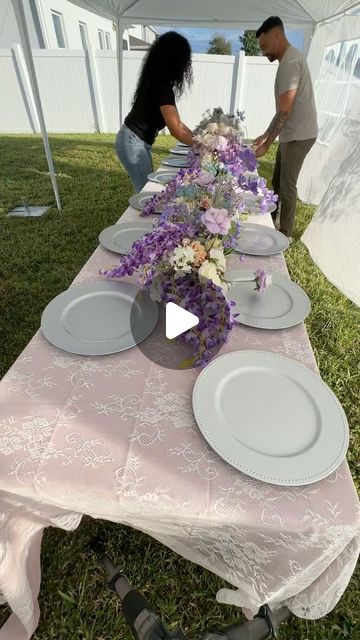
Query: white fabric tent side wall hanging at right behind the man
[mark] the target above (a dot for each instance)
(331, 173)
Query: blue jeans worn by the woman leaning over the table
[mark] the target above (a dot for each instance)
(135, 156)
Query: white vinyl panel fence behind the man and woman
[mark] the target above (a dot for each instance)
(79, 89)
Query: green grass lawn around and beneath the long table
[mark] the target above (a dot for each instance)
(39, 259)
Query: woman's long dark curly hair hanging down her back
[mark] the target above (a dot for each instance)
(168, 60)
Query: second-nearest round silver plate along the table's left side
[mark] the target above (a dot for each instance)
(121, 237)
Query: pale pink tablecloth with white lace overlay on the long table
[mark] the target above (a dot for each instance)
(115, 438)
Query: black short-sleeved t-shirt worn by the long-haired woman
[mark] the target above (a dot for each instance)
(145, 118)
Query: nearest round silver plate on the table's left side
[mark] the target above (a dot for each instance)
(99, 318)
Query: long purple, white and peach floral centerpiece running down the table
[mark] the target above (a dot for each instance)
(183, 259)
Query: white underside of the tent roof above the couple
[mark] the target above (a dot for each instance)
(300, 14)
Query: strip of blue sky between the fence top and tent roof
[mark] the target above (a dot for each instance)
(199, 38)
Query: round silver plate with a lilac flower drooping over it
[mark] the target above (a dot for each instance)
(284, 304)
